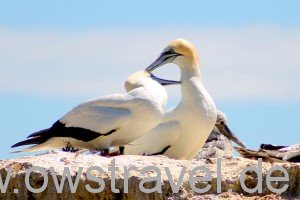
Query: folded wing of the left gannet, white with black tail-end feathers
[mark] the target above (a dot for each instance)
(92, 119)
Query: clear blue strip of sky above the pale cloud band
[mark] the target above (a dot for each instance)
(82, 15)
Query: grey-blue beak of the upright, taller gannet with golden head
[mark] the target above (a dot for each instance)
(164, 58)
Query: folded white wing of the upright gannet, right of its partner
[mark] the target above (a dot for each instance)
(155, 142)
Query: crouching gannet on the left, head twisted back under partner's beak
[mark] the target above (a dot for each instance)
(113, 120)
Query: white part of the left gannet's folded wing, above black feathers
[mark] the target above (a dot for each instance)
(100, 115)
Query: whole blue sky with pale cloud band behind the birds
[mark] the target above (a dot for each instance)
(56, 54)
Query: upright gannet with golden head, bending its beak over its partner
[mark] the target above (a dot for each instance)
(185, 128)
